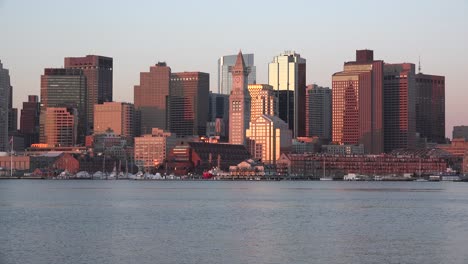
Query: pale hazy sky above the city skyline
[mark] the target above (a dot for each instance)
(192, 35)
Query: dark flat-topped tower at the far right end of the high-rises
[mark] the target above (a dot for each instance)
(430, 107)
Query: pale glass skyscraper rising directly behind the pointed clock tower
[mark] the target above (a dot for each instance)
(225, 64)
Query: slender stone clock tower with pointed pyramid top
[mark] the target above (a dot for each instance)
(239, 103)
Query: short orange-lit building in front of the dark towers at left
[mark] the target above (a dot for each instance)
(58, 126)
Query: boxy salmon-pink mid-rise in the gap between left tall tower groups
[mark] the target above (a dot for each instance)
(117, 116)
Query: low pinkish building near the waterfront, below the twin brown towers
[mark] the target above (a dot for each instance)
(151, 150)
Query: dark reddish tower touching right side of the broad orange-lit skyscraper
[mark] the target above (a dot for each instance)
(399, 106)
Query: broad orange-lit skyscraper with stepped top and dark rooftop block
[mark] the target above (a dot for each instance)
(357, 110)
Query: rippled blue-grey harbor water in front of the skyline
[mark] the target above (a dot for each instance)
(232, 222)
